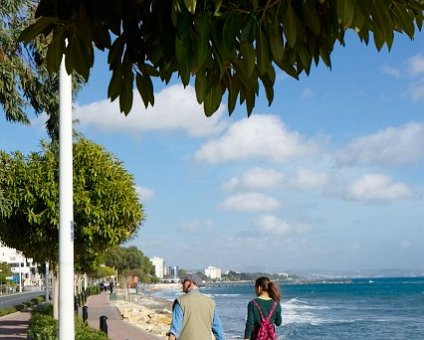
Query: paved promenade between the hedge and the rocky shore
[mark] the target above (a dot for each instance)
(118, 329)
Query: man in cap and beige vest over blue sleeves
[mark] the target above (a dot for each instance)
(193, 314)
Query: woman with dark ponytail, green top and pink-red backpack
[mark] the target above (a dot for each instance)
(265, 305)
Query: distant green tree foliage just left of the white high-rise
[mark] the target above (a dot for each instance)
(130, 260)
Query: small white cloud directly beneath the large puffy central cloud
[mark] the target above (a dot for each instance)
(254, 179)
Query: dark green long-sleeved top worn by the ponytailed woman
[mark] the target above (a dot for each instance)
(254, 318)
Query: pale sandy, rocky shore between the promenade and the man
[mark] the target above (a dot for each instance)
(150, 313)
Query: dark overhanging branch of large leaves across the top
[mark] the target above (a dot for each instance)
(228, 47)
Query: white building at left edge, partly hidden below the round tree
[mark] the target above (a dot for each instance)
(24, 270)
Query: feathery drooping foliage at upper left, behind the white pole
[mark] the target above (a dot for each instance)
(25, 83)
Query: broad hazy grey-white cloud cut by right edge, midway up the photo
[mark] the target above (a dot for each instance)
(390, 146)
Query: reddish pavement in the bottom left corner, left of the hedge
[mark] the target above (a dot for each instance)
(14, 326)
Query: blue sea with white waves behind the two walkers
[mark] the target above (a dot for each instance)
(372, 309)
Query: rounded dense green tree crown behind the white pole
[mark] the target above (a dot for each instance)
(107, 211)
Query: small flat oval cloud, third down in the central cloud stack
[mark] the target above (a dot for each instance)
(249, 202)
